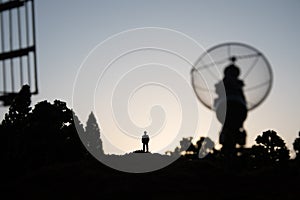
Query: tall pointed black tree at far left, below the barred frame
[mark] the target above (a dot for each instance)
(13, 127)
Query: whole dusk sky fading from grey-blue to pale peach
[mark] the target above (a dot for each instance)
(69, 33)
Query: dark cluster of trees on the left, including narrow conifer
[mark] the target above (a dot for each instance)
(44, 135)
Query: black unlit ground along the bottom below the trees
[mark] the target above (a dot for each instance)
(181, 180)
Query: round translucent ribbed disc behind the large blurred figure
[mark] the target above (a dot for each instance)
(255, 71)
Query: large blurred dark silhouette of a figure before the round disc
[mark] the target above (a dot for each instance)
(231, 109)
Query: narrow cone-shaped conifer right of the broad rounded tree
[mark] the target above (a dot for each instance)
(92, 131)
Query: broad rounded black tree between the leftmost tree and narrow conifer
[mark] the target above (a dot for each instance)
(54, 130)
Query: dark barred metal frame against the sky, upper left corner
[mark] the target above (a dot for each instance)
(18, 64)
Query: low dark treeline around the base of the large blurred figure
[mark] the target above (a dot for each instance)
(270, 151)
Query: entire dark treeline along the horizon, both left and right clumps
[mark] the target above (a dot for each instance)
(49, 134)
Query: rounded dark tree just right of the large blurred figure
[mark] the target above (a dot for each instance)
(271, 150)
